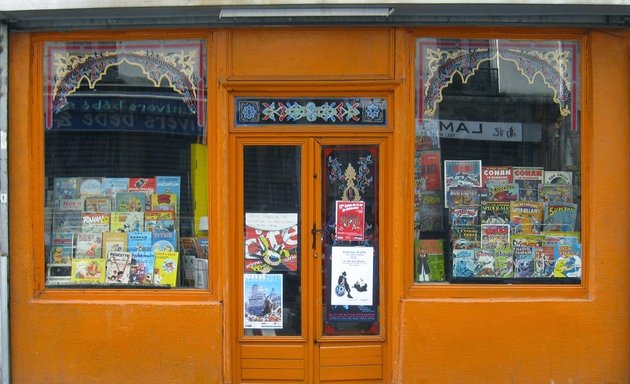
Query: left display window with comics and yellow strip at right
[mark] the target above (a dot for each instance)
(125, 154)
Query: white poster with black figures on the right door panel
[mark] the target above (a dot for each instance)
(351, 273)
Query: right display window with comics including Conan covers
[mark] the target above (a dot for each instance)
(497, 162)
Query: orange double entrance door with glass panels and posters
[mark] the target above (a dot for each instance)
(309, 292)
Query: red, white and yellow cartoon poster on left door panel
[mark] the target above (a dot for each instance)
(271, 241)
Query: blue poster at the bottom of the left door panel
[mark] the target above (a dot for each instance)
(262, 306)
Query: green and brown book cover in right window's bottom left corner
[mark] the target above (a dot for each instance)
(429, 260)
